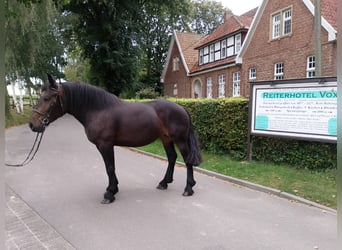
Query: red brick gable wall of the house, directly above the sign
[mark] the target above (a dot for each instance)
(263, 53)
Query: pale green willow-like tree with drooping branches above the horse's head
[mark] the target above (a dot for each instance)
(33, 46)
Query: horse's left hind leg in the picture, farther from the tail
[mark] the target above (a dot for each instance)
(171, 156)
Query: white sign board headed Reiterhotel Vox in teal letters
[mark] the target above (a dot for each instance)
(297, 109)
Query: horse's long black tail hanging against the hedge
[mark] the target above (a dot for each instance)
(194, 158)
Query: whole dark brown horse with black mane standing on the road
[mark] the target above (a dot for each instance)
(109, 121)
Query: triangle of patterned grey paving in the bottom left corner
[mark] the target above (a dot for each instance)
(25, 229)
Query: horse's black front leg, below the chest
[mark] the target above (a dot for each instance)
(107, 153)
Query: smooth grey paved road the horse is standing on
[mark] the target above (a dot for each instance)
(65, 182)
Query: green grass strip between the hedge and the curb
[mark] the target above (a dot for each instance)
(319, 186)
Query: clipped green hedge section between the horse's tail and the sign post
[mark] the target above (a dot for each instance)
(221, 124)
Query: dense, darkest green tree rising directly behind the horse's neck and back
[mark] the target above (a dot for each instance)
(103, 30)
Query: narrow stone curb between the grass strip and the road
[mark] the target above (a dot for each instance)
(247, 184)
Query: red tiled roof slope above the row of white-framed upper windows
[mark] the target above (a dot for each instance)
(231, 24)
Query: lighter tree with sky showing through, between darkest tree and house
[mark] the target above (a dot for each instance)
(158, 20)
